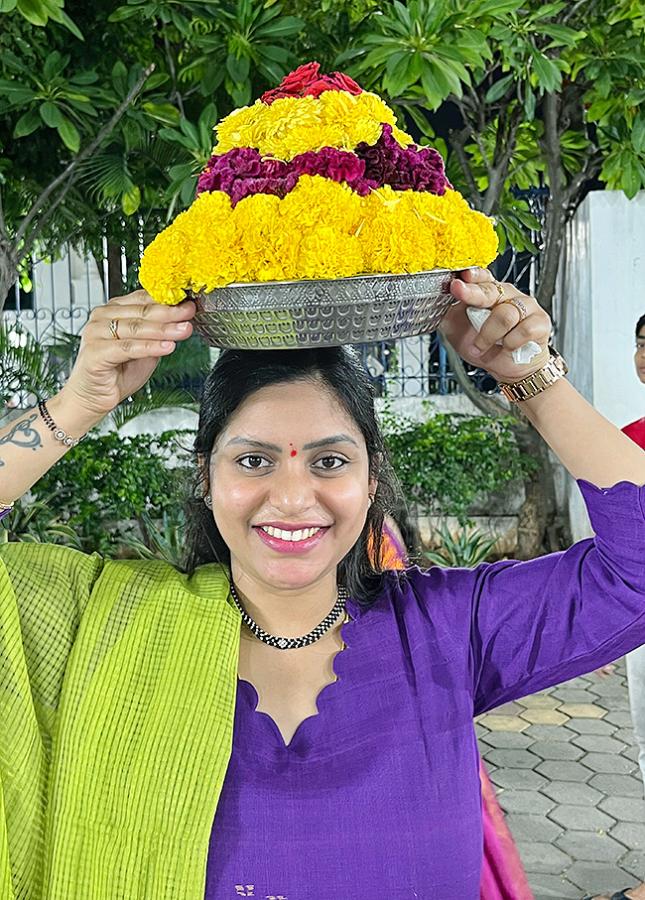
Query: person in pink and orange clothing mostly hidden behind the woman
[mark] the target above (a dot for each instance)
(503, 876)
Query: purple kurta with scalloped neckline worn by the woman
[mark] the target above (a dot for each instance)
(378, 796)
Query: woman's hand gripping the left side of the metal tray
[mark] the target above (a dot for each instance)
(106, 371)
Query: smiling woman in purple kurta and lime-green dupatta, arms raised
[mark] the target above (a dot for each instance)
(192, 757)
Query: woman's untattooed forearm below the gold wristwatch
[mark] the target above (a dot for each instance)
(587, 444)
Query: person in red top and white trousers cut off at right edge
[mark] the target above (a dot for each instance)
(635, 660)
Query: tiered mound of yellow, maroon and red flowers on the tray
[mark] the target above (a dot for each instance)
(315, 180)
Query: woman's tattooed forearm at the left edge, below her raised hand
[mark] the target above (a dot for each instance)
(28, 449)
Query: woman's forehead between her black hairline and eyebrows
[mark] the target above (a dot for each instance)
(291, 412)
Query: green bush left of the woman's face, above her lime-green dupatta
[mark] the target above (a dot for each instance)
(110, 479)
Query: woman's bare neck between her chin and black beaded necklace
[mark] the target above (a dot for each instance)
(286, 612)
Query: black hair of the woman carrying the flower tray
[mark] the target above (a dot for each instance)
(338, 370)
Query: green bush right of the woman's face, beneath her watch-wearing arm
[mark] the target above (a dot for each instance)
(448, 461)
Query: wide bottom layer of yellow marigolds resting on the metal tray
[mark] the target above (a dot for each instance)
(321, 229)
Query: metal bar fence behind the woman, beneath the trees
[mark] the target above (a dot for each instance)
(61, 295)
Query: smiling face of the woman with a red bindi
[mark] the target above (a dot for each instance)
(290, 458)
